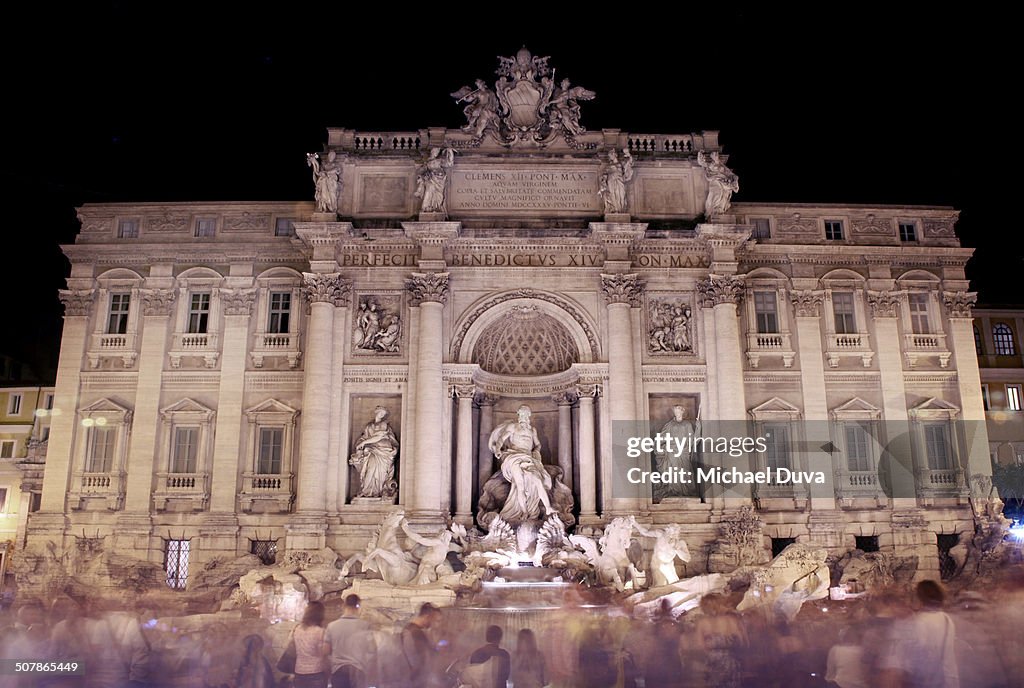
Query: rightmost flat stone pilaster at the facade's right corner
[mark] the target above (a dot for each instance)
(959, 306)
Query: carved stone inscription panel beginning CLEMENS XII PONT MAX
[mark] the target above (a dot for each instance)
(482, 190)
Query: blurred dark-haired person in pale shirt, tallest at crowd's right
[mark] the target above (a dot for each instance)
(923, 648)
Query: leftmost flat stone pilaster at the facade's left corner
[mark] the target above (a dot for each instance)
(78, 306)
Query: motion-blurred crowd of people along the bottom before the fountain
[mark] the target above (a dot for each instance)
(890, 640)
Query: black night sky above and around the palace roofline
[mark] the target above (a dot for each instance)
(851, 107)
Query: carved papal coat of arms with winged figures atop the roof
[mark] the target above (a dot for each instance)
(527, 106)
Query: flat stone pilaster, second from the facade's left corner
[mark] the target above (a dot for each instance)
(144, 455)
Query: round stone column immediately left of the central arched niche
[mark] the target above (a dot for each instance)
(429, 292)
